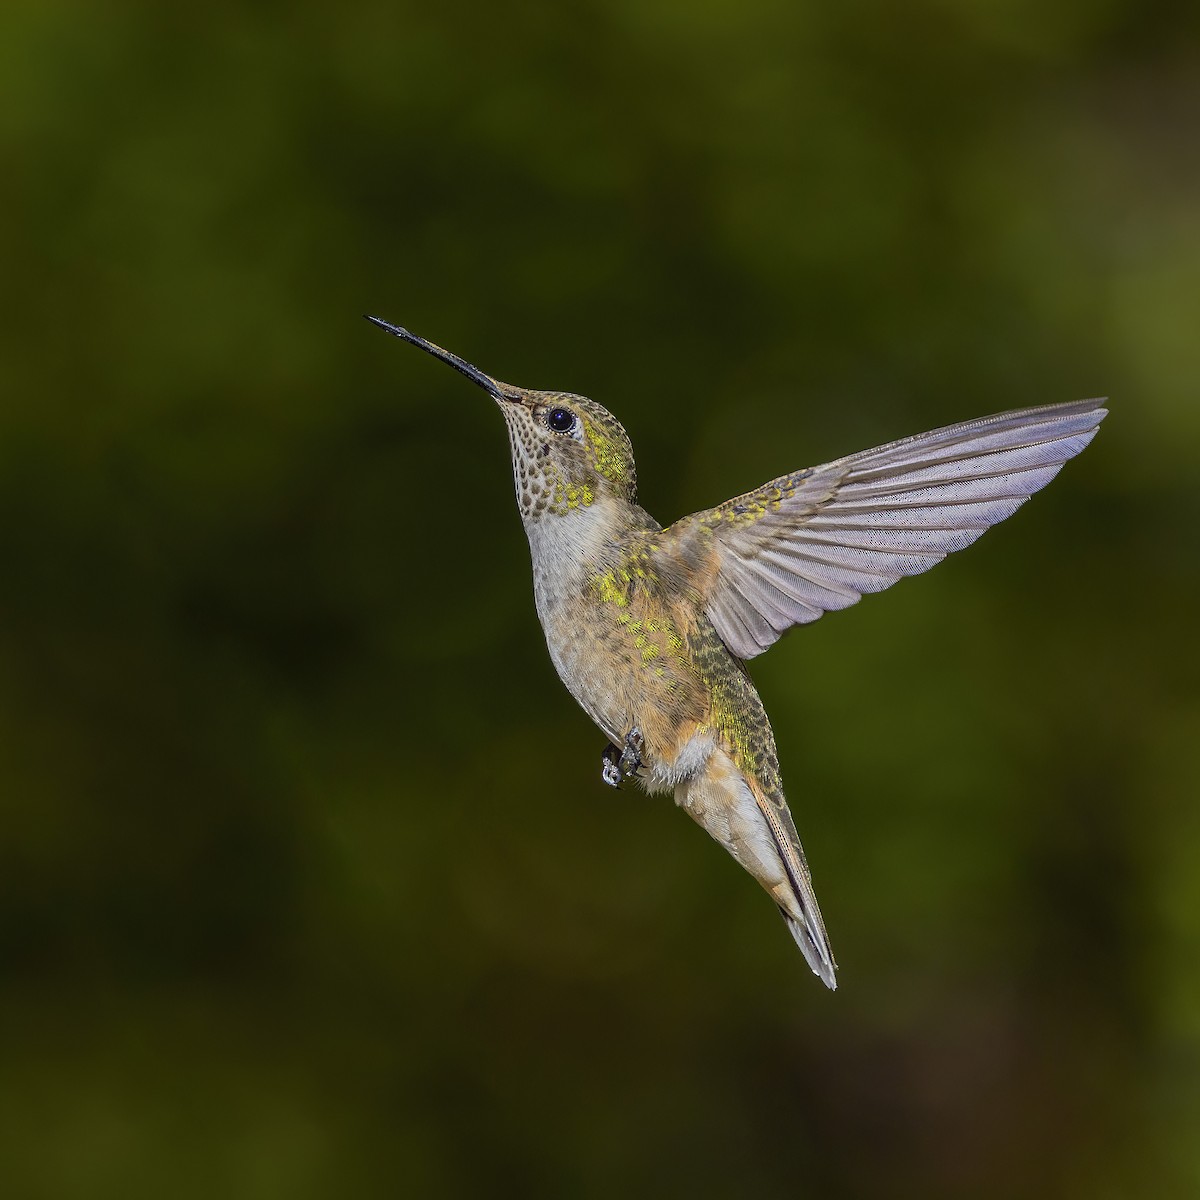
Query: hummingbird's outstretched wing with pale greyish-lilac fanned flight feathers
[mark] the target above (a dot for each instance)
(821, 539)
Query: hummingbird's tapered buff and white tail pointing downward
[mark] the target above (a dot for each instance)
(757, 829)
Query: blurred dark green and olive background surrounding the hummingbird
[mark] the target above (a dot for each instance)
(309, 885)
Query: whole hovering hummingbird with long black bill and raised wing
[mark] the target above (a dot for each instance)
(651, 628)
